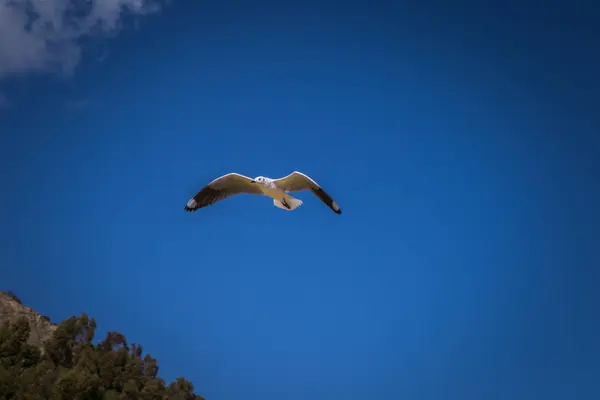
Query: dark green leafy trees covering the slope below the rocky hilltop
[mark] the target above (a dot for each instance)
(70, 366)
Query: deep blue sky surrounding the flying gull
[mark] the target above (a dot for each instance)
(461, 143)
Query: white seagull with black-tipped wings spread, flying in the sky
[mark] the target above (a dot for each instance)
(277, 189)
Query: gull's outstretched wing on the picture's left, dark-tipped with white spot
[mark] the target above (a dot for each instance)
(221, 188)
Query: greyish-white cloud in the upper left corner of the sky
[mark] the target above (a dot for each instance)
(43, 35)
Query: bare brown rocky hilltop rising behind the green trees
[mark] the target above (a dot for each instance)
(11, 309)
